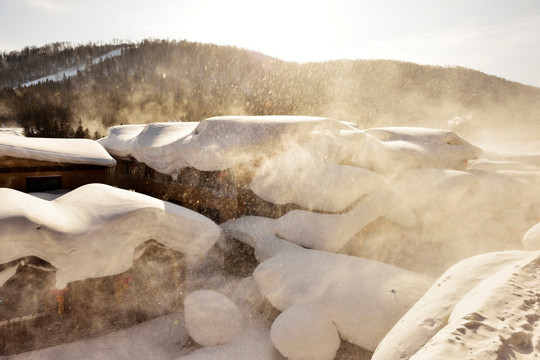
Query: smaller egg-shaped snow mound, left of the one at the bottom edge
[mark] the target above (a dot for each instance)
(212, 318)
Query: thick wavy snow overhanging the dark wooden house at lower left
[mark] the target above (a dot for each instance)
(93, 230)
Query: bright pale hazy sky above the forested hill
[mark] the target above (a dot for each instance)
(498, 37)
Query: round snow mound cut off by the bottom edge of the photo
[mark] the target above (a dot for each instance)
(305, 332)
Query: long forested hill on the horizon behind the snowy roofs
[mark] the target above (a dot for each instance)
(158, 80)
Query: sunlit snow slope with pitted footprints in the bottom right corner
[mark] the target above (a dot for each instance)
(485, 307)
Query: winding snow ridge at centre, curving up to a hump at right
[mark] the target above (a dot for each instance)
(327, 232)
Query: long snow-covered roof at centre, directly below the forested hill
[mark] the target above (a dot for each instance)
(219, 143)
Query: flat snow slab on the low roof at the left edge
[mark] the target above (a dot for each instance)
(74, 151)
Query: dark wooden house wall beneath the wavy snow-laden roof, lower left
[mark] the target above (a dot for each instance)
(34, 315)
